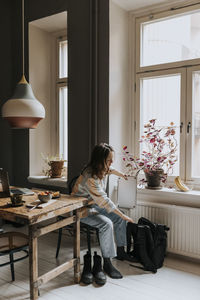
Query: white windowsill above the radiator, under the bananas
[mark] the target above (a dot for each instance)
(170, 196)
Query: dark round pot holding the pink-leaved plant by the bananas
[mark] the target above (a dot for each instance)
(153, 178)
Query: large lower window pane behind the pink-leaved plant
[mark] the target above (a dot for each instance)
(160, 100)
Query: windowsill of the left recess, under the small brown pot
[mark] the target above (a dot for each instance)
(45, 180)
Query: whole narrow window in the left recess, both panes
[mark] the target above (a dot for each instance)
(61, 82)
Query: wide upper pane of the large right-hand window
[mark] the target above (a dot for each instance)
(170, 40)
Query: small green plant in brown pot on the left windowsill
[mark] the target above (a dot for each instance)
(54, 166)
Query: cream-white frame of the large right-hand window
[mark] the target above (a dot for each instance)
(185, 68)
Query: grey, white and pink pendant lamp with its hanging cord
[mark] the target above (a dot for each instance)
(23, 110)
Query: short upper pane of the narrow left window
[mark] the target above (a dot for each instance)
(63, 67)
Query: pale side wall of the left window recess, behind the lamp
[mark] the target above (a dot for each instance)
(41, 53)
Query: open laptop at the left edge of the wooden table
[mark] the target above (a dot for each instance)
(6, 190)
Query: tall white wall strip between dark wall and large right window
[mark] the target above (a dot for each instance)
(119, 104)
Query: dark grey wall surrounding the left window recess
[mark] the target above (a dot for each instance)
(88, 34)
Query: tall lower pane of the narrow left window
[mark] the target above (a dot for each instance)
(63, 122)
